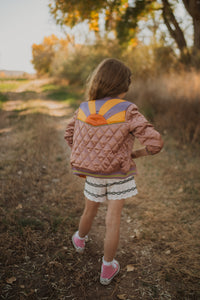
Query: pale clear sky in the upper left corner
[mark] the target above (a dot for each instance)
(23, 23)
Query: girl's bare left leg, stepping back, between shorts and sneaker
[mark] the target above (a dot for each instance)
(87, 217)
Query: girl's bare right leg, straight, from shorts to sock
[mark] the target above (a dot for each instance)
(113, 218)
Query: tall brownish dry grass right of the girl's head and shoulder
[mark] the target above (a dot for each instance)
(172, 102)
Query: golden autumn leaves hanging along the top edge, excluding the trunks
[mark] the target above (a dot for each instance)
(119, 15)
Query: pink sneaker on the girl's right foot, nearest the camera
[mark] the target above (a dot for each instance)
(109, 272)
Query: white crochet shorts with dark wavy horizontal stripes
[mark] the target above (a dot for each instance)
(100, 189)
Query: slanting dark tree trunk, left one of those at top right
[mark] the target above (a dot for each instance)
(173, 27)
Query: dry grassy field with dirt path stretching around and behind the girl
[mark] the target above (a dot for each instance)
(41, 202)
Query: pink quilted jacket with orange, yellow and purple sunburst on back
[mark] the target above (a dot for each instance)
(101, 136)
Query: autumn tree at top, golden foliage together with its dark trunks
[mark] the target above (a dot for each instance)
(123, 16)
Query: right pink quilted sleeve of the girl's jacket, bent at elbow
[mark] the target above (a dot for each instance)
(143, 130)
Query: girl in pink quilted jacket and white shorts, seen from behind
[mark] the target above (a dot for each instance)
(101, 136)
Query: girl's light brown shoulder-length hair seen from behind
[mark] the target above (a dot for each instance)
(109, 79)
